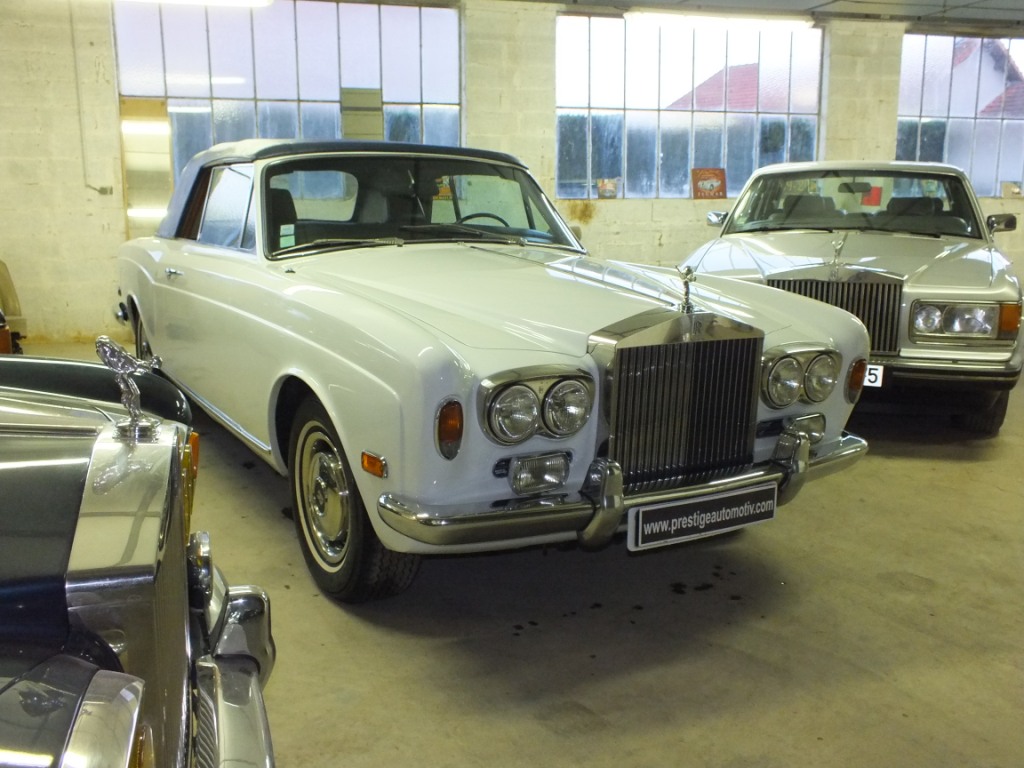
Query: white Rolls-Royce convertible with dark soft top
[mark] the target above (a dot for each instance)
(416, 339)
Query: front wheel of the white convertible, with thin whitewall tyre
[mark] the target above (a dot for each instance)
(342, 550)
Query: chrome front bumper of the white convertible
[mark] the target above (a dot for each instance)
(596, 517)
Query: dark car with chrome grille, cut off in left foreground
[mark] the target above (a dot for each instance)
(121, 644)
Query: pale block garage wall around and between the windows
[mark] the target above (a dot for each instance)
(63, 203)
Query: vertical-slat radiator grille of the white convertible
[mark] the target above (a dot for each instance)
(684, 412)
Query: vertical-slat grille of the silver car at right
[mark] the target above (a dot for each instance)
(877, 305)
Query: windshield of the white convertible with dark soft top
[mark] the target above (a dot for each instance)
(337, 201)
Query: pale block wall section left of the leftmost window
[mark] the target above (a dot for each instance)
(61, 201)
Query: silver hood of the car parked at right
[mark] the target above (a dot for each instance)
(923, 262)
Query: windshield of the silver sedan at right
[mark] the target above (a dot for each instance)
(921, 204)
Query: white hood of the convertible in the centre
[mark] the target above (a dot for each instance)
(491, 296)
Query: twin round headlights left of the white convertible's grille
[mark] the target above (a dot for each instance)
(542, 404)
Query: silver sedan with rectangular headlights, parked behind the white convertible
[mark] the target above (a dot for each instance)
(907, 248)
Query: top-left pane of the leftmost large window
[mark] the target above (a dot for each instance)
(141, 53)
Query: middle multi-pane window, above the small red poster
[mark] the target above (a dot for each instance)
(645, 100)
